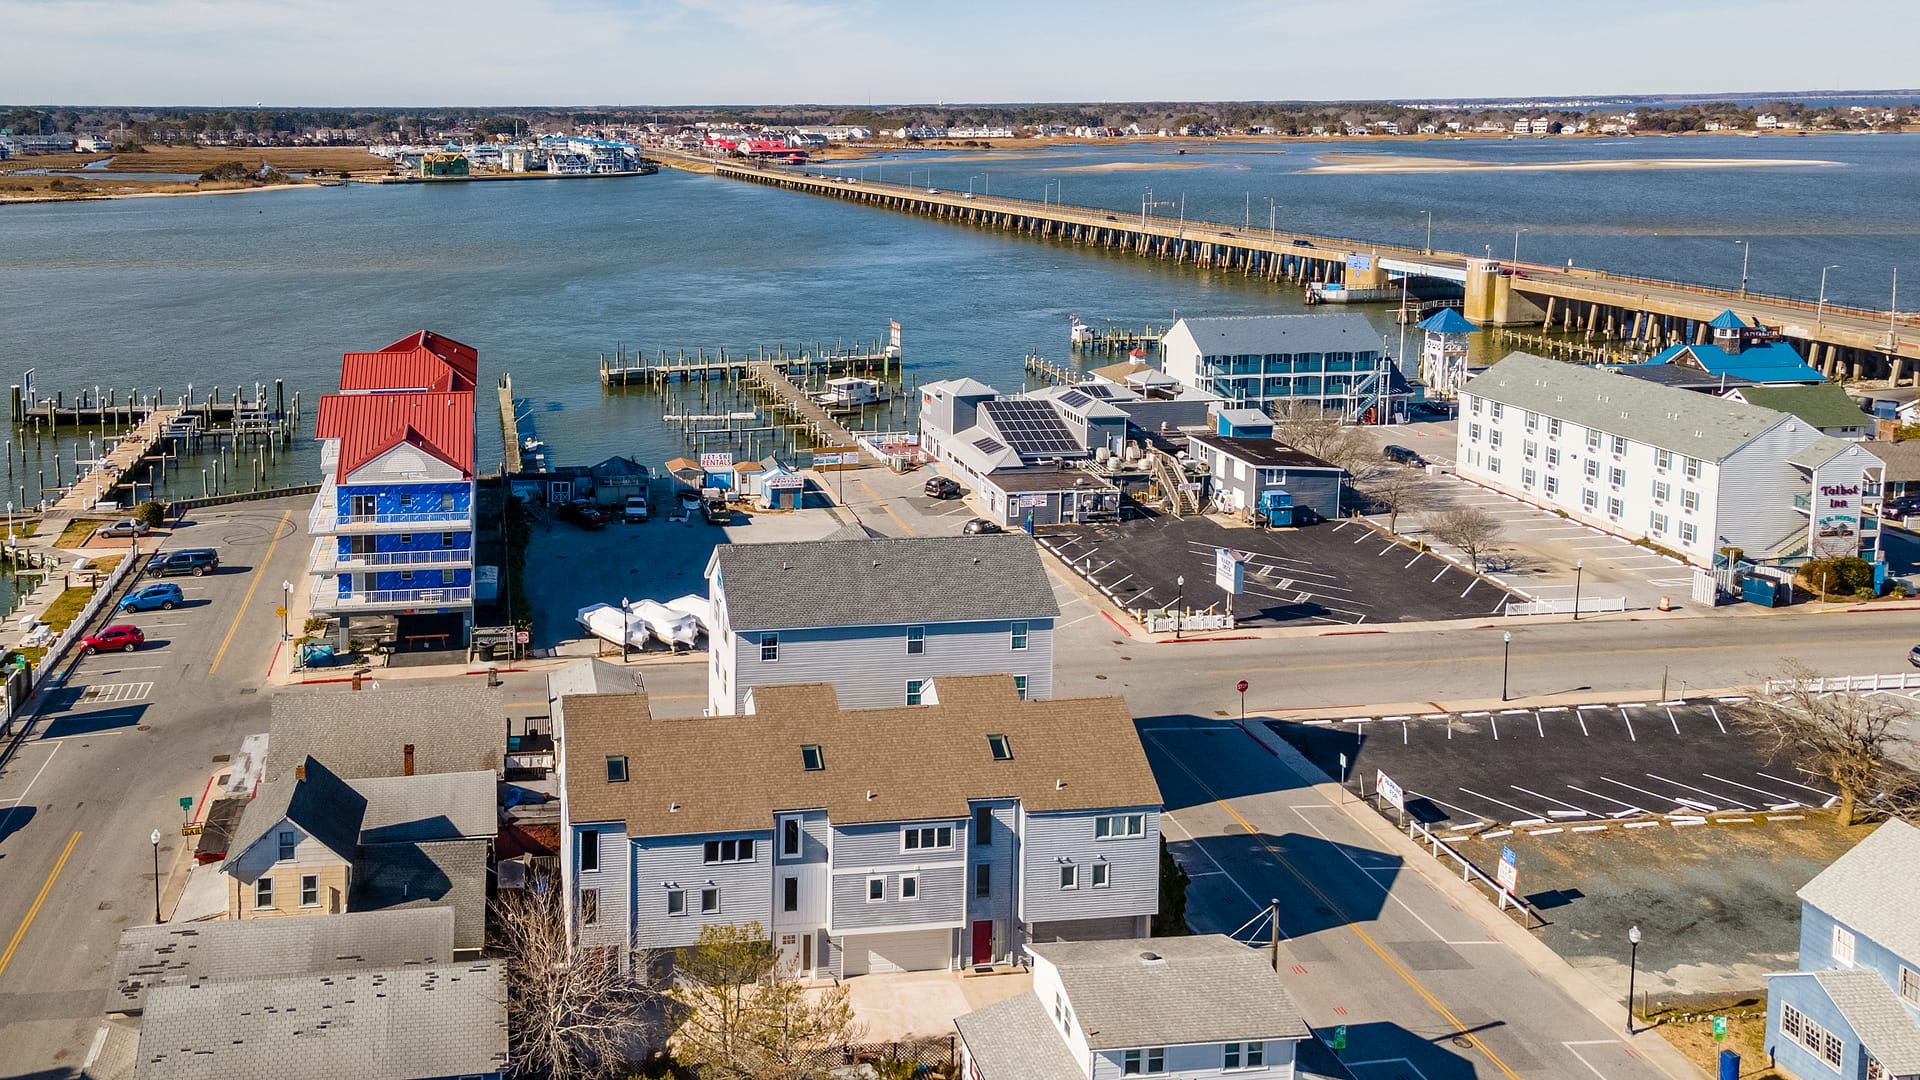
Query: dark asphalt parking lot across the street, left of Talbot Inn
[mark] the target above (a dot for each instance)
(1341, 574)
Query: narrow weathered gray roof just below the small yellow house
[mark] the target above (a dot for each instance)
(358, 941)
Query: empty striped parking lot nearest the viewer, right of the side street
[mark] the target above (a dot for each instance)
(1575, 768)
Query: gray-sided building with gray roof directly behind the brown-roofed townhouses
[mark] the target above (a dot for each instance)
(878, 620)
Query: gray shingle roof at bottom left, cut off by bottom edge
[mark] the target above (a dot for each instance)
(439, 1021)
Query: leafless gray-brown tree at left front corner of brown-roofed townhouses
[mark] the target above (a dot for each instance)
(571, 1012)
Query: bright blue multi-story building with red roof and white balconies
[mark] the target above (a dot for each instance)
(393, 528)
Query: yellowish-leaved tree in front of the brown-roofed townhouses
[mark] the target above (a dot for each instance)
(748, 1018)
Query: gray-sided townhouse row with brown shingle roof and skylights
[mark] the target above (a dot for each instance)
(863, 841)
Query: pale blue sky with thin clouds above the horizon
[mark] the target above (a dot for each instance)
(855, 53)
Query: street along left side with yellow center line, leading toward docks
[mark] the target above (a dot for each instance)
(107, 764)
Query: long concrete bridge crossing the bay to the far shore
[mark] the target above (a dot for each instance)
(1844, 343)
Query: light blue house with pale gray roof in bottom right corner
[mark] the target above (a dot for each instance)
(1854, 1006)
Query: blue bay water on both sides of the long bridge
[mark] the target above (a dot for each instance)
(542, 278)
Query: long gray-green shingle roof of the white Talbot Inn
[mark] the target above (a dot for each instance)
(1698, 426)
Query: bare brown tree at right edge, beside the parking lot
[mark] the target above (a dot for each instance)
(1842, 737)
